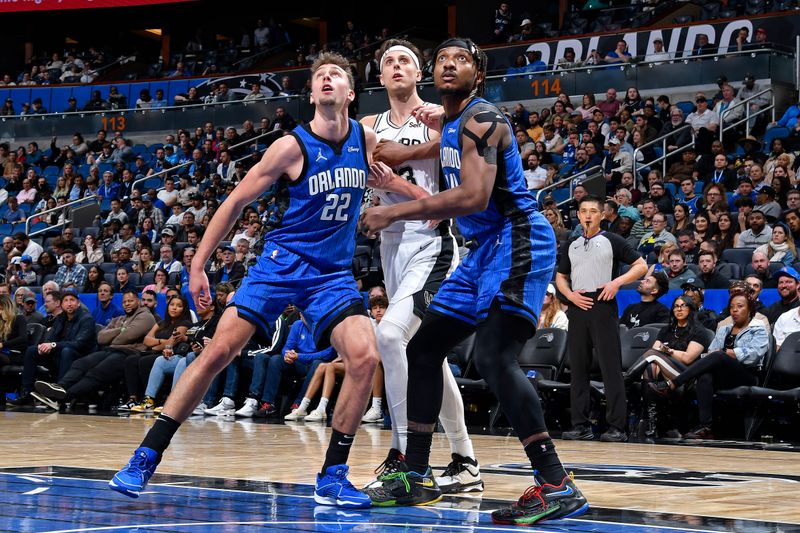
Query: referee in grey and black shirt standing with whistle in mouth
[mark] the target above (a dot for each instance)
(588, 277)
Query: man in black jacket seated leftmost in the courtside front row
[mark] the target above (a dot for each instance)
(72, 336)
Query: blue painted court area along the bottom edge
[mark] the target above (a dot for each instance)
(61, 500)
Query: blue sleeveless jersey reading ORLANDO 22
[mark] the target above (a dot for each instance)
(321, 207)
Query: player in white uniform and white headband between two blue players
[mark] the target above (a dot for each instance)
(416, 258)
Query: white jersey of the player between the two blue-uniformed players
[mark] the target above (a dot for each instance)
(424, 173)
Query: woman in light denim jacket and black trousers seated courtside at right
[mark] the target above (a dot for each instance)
(736, 351)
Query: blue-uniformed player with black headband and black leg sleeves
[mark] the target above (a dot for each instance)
(497, 291)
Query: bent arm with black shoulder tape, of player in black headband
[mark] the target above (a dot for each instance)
(485, 136)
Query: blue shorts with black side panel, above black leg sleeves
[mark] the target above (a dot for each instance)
(513, 266)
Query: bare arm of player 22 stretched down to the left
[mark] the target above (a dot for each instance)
(283, 157)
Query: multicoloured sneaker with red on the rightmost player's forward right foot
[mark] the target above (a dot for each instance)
(543, 501)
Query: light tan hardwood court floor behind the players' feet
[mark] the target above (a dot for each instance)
(703, 481)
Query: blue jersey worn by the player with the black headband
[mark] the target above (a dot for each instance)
(510, 199)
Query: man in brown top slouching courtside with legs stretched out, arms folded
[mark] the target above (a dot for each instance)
(123, 337)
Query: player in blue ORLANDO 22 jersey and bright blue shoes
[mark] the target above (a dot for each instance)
(322, 170)
